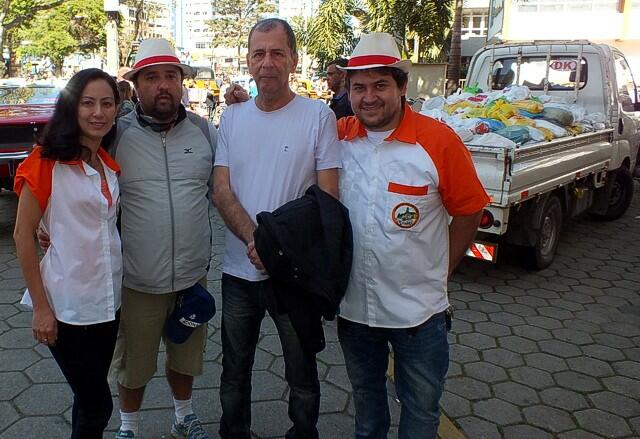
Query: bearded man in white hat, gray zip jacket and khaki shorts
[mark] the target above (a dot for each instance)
(166, 156)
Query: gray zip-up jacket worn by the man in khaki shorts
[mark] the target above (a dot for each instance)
(164, 201)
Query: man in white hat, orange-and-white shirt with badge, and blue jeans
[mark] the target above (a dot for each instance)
(403, 176)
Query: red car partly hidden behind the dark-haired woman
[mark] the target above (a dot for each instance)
(24, 111)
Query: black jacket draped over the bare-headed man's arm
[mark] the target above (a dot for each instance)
(306, 246)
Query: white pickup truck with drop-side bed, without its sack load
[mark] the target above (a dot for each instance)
(535, 187)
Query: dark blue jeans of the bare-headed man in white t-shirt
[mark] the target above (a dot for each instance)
(244, 304)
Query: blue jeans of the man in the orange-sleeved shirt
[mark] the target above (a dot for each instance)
(421, 360)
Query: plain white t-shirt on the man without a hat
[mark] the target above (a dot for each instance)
(272, 159)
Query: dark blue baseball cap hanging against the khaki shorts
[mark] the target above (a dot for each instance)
(194, 306)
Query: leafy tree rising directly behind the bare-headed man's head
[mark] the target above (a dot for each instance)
(233, 19)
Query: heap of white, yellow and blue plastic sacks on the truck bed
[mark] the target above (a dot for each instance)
(511, 117)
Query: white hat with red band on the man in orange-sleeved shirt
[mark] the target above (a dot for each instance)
(376, 49)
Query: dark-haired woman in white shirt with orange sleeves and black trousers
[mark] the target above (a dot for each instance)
(68, 186)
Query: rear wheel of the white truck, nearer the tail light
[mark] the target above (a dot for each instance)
(541, 254)
